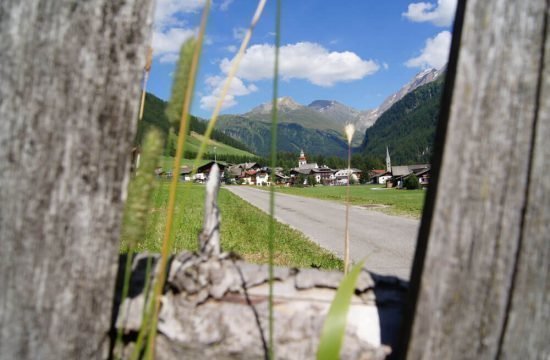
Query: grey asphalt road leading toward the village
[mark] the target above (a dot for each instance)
(386, 242)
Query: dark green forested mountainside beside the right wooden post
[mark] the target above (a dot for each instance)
(407, 128)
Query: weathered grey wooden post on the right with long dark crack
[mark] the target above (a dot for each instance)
(480, 290)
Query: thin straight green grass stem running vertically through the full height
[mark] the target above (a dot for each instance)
(271, 354)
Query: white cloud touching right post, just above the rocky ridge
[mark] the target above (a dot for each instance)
(435, 54)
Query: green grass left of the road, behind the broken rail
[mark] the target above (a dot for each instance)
(244, 230)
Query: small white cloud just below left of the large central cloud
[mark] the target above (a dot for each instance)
(216, 83)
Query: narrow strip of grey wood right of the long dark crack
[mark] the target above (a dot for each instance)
(527, 332)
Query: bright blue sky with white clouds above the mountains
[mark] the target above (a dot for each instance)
(354, 51)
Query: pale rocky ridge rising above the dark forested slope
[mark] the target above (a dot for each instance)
(368, 118)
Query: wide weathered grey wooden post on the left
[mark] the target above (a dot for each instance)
(68, 102)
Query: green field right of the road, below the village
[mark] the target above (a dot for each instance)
(375, 197)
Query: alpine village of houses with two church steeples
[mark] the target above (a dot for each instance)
(306, 174)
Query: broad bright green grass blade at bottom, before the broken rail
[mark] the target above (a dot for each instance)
(332, 335)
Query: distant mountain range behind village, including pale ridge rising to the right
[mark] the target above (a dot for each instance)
(316, 128)
